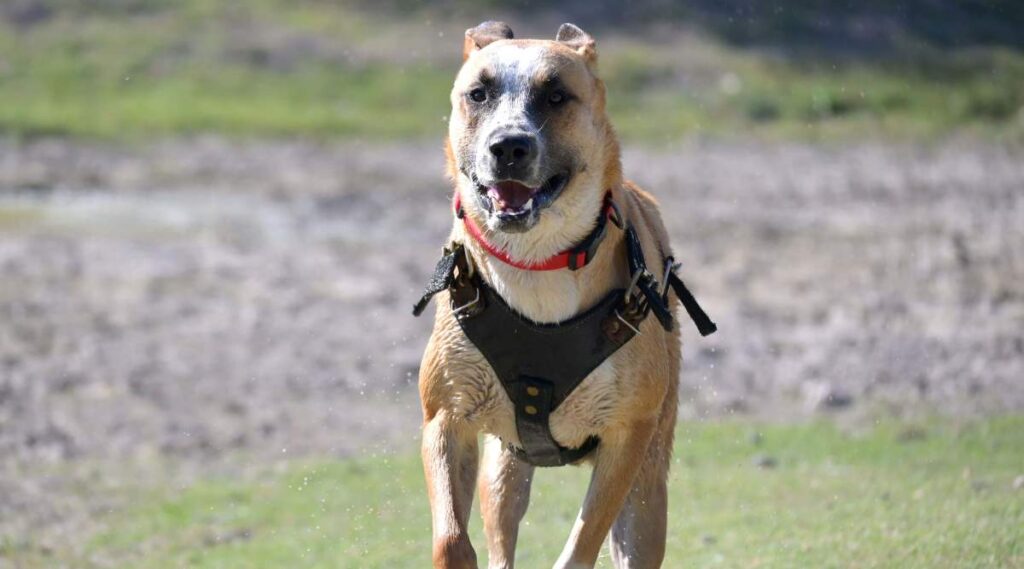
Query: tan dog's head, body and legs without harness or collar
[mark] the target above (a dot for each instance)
(533, 156)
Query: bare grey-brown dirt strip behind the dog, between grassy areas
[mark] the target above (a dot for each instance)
(189, 301)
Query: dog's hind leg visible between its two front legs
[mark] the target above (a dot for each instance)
(504, 484)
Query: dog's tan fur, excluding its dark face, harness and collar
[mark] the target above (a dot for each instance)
(630, 402)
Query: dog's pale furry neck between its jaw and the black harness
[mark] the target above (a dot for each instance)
(550, 296)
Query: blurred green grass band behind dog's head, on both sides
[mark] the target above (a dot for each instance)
(131, 69)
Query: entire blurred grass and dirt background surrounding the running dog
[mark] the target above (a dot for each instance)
(216, 216)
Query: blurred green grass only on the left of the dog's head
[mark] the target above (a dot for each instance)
(181, 71)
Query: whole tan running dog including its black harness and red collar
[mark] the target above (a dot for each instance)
(535, 162)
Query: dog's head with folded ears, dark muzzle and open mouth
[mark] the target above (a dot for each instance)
(528, 132)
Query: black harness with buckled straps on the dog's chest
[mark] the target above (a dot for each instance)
(540, 365)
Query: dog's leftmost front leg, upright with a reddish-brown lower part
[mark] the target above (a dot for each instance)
(450, 456)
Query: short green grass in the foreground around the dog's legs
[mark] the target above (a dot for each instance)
(940, 496)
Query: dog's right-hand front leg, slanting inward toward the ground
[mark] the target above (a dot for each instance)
(616, 465)
